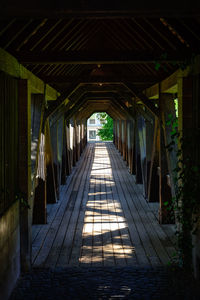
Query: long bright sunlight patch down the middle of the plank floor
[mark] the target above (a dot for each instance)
(105, 237)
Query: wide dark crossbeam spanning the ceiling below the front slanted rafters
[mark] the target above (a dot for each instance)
(94, 58)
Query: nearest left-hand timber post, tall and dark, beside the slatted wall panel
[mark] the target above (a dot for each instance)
(25, 172)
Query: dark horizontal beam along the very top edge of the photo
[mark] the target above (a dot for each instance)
(99, 9)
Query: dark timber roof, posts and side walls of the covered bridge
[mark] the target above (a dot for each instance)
(58, 67)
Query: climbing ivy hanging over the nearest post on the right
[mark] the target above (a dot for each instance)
(186, 203)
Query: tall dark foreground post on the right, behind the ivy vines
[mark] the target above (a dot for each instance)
(186, 127)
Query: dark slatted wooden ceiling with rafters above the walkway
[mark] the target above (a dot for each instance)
(101, 50)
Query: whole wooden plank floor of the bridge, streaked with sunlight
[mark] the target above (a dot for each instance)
(101, 219)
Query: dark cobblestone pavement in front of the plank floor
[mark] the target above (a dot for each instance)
(103, 283)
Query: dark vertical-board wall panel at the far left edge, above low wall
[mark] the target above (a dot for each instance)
(8, 140)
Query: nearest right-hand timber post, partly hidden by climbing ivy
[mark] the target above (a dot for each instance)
(187, 126)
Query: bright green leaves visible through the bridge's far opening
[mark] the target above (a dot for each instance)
(106, 132)
